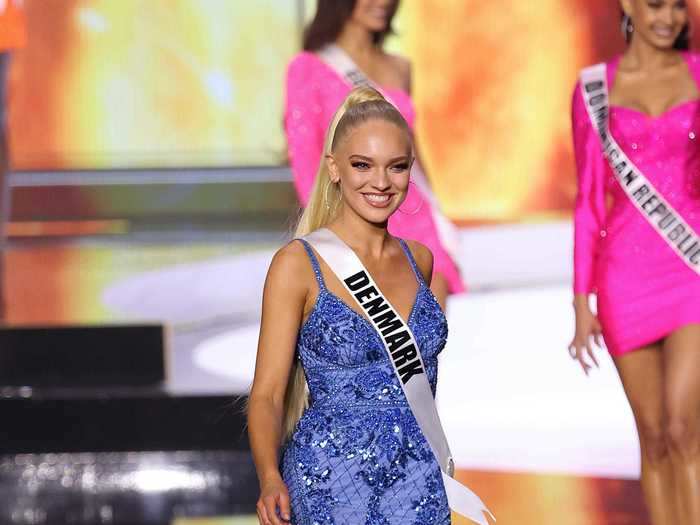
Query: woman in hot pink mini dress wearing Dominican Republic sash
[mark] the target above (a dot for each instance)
(648, 296)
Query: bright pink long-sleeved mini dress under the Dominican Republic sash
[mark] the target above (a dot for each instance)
(644, 290)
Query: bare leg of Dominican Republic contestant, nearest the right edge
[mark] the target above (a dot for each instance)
(682, 394)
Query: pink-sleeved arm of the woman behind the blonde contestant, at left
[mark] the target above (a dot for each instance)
(302, 124)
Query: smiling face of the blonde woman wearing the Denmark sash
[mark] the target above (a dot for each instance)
(372, 164)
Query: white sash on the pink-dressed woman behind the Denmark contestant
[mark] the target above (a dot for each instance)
(338, 60)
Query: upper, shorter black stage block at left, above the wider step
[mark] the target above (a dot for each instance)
(82, 356)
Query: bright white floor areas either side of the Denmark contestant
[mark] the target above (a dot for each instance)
(510, 396)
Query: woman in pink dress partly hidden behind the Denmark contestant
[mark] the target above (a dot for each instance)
(350, 33)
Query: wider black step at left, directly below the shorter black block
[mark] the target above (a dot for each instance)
(105, 420)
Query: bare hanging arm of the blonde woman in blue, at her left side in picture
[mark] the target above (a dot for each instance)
(284, 297)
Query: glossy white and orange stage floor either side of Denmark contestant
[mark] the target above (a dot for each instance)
(540, 441)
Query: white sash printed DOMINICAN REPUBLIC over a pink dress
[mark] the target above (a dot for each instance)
(668, 223)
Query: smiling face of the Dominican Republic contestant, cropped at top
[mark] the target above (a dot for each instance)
(658, 22)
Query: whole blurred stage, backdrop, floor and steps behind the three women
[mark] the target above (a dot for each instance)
(149, 189)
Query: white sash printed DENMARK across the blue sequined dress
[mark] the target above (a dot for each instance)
(400, 344)
